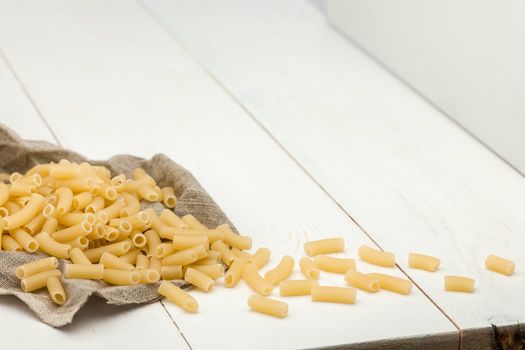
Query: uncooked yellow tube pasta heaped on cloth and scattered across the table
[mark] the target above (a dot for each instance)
(81, 213)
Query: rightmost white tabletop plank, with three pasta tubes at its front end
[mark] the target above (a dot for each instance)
(411, 178)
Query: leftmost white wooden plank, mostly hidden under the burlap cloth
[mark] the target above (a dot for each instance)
(97, 325)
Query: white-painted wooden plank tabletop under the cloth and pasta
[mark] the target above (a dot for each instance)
(298, 136)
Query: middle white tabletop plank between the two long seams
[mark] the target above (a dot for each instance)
(137, 91)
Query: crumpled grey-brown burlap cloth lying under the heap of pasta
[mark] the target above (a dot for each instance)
(19, 155)
